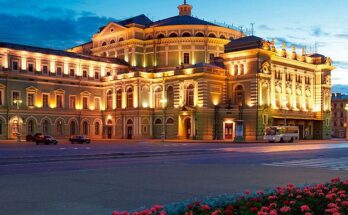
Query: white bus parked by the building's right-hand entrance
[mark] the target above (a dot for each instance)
(281, 134)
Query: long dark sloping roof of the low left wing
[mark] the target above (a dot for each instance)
(61, 53)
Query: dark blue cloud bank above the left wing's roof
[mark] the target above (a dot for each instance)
(53, 32)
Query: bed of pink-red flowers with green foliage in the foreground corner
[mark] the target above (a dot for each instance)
(321, 199)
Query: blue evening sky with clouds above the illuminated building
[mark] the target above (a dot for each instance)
(318, 25)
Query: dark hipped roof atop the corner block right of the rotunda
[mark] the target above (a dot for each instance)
(244, 43)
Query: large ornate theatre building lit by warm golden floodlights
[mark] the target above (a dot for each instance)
(178, 78)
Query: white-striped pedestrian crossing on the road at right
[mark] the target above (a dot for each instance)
(325, 163)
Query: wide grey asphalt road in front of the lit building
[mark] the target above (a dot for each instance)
(98, 178)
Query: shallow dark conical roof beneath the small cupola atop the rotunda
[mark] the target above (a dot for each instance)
(181, 20)
